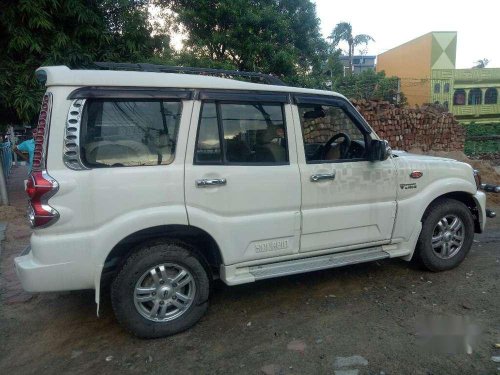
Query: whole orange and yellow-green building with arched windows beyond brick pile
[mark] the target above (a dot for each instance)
(426, 69)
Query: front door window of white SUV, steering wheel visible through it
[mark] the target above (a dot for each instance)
(330, 134)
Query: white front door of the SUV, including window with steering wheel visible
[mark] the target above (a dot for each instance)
(347, 201)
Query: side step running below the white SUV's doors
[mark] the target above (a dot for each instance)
(291, 267)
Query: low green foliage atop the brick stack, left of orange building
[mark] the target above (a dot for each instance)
(369, 85)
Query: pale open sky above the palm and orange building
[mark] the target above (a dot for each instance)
(392, 23)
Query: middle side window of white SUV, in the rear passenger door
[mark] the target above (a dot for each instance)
(250, 133)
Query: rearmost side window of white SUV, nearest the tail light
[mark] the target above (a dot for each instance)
(127, 133)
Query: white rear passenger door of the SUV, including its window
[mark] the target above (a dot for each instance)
(242, 178)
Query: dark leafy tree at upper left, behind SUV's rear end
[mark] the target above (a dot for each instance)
(71, 32)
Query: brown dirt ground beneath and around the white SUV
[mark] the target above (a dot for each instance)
(361, 319)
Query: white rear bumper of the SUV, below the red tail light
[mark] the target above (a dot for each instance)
(38, 277)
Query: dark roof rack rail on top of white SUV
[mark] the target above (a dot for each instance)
(261, 77)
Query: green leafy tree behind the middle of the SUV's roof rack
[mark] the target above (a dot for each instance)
(277, 37)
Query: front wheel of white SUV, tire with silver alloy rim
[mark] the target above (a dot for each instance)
(447, 235)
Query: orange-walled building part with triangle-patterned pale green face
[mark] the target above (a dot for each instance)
(414, 61)
